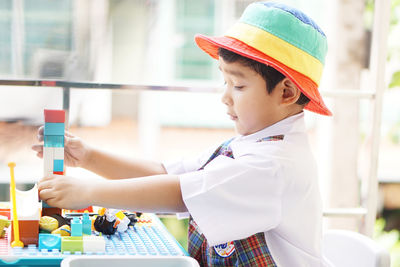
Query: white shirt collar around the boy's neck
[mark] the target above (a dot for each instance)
(288, 125)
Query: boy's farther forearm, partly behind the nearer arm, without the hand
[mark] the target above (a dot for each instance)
(114, 167)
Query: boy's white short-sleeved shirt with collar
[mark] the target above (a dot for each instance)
(269, 186)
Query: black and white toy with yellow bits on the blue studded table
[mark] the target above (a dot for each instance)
(110, 221)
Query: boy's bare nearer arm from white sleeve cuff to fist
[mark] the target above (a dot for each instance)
(159, 193)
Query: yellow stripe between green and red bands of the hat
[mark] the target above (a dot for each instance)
(278, 49)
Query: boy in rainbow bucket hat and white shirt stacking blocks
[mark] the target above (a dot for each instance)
(254, 201)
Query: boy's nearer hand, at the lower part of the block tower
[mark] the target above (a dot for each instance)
(65, 192)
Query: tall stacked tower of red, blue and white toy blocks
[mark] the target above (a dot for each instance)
(53, 148)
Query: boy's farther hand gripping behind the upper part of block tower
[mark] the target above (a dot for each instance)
(76, 152)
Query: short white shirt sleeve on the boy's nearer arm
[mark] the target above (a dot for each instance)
(232, 199)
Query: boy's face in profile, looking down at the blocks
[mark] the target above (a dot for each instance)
(248, 103)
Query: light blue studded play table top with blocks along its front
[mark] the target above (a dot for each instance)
(148, 238)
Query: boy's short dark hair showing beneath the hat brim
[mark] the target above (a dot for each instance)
(271, 76)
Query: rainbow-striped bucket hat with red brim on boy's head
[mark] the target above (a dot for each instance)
(281, 37)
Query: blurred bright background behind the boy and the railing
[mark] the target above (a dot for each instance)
(150, 42)
